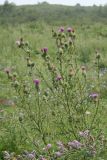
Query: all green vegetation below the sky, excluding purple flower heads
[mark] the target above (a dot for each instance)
(58, 111)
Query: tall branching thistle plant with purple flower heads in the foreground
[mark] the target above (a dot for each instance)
(59, 104)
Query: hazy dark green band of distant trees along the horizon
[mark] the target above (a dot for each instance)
(52, 14)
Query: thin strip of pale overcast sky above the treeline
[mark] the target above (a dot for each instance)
(66, 2)
